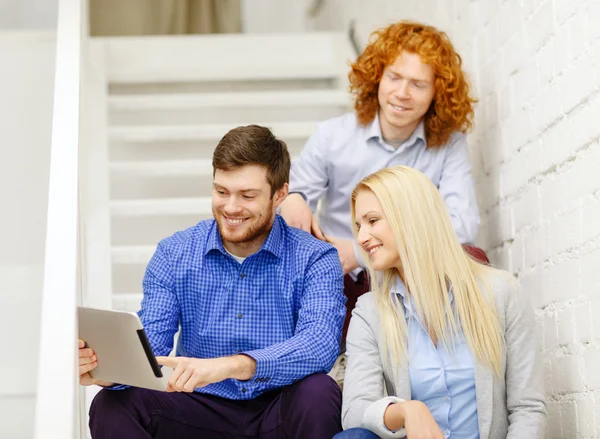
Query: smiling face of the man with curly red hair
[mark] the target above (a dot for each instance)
(405, 94)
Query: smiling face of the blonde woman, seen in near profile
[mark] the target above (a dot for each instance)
(374, 232)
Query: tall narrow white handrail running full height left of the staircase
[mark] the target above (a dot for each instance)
(56, 405)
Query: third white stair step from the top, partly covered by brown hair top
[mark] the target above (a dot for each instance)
(208, 132)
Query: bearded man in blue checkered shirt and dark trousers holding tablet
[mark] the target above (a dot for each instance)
(260, 308)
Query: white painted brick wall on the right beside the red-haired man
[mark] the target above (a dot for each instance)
(535, 67)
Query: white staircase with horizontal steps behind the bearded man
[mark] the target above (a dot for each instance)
(168, 101)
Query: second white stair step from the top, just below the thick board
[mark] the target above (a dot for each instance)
(209, 101)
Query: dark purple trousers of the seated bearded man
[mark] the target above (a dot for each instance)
(309, 408)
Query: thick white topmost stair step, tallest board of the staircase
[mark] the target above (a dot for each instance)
(200, 58)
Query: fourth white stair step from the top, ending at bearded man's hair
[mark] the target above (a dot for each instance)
(163, 168)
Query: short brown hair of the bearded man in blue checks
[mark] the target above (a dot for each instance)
(254, 145)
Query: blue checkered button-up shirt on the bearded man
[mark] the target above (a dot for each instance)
(283, 306)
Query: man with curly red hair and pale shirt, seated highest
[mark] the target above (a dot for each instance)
(413, 107)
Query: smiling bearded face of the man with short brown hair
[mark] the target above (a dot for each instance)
(243, 207)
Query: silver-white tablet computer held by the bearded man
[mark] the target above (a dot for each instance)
(120, 343)
